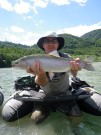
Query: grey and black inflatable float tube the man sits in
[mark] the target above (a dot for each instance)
(27, 95)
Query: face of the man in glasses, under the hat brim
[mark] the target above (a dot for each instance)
(50, 44)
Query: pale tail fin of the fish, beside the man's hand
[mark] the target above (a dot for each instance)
(88, 63)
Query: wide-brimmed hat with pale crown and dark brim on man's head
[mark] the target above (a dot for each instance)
(60, 40)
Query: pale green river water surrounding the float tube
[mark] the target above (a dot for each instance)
(57, 123)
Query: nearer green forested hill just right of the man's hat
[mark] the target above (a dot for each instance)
(79, 46)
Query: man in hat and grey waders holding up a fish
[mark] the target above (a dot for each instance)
(51, 83)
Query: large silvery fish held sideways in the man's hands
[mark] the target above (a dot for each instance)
(50, 63)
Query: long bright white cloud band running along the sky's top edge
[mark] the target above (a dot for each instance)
(23, 7)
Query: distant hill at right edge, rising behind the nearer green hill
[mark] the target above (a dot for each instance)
(93, 36)
